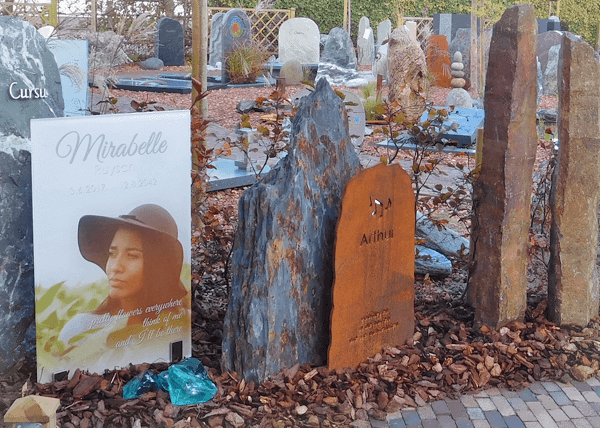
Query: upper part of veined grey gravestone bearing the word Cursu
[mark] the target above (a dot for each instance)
(28, 91)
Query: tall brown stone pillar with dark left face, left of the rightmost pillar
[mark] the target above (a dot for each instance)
(502, 193)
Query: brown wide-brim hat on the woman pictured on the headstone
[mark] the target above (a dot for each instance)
(156, 224)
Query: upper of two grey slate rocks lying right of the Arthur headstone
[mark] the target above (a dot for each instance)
(445, 241)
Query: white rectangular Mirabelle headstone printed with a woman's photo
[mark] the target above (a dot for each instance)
(112, 238)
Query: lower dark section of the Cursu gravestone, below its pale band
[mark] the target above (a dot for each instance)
(17, 307)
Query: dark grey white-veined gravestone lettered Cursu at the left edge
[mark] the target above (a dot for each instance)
(31, 88)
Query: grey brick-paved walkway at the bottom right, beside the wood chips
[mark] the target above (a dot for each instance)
(542, 405)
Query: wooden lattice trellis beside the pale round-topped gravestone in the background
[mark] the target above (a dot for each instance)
(265, 24)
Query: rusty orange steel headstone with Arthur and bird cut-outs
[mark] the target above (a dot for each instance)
(373, 292)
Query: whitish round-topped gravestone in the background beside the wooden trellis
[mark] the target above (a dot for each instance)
(299, 40)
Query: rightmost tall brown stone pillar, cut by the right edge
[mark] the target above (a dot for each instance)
(572, 278)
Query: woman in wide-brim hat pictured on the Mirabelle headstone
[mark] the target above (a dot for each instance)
(142, 258)
